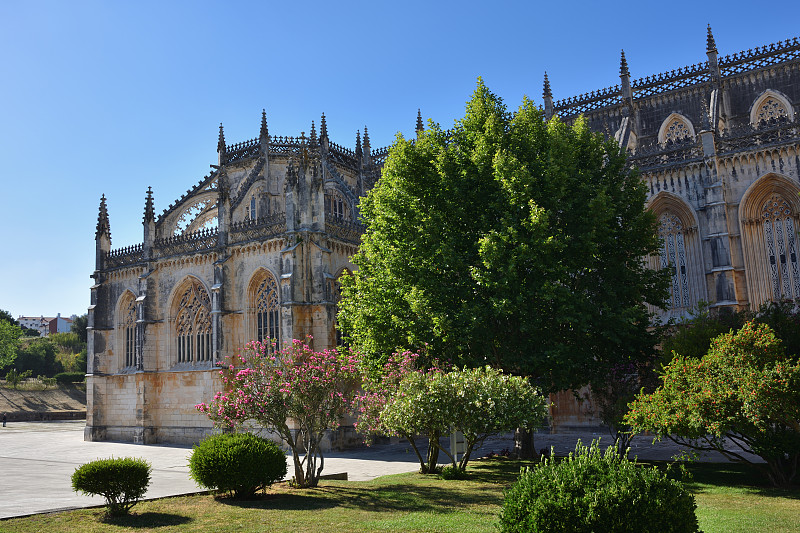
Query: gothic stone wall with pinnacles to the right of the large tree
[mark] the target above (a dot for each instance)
(718, 147)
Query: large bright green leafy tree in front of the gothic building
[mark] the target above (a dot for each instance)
(506, 240)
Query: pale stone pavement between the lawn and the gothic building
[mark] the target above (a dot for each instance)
(38, 458)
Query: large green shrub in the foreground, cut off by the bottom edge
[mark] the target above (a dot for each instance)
(589, 491)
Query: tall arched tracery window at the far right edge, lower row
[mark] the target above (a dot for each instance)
(781, 246)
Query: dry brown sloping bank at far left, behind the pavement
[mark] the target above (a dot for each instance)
(63, 403)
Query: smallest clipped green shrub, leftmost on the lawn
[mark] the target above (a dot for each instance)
(122, 482)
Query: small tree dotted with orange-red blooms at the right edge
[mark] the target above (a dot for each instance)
(744, 391)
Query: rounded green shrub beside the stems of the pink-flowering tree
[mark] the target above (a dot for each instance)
(238, 463)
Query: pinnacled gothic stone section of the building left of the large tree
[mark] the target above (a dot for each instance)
(253, 251)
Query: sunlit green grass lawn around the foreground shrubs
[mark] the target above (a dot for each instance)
(729, 500)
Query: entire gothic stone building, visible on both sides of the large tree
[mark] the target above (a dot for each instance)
(255, 249)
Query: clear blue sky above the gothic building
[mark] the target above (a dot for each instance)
(113, 97)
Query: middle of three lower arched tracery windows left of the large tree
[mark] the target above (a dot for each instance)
(193, 325)
